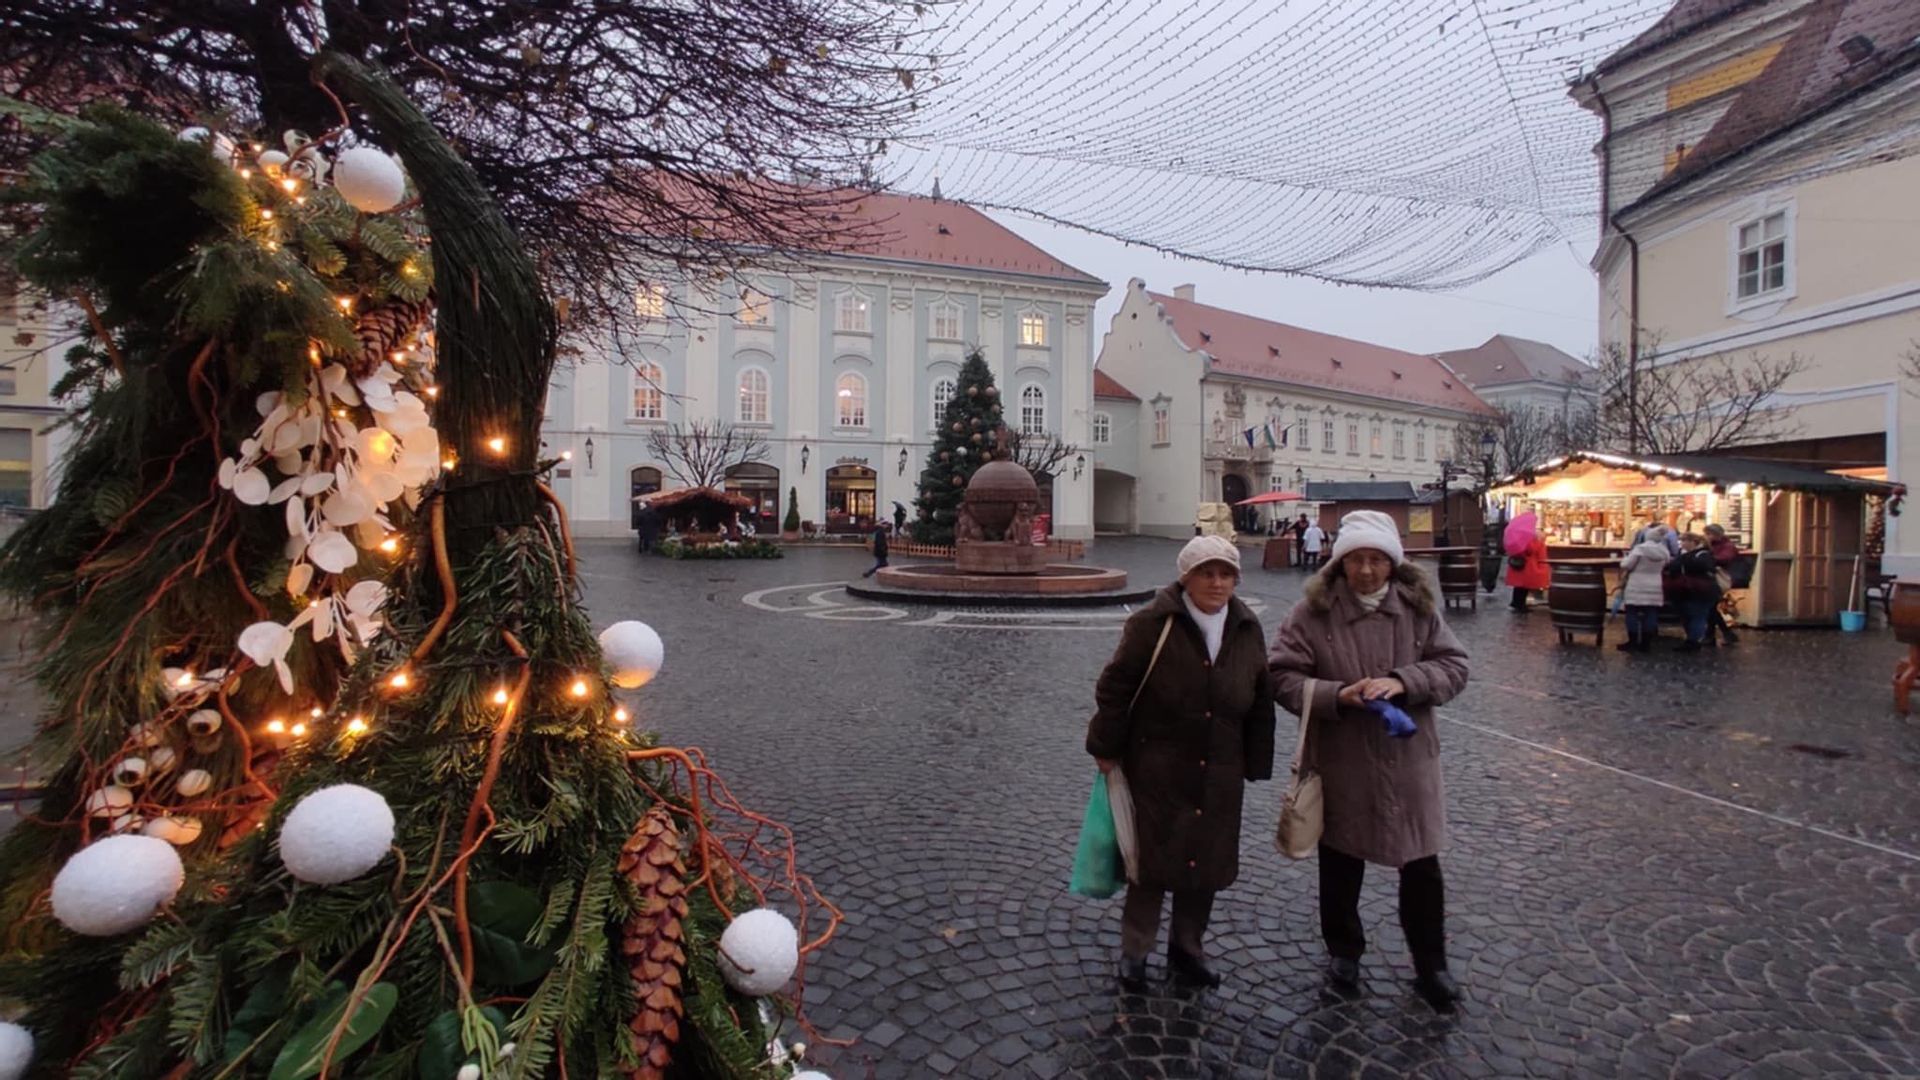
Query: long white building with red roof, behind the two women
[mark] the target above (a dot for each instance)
(1205, 378)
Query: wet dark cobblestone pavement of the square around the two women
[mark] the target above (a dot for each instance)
(1662, 866)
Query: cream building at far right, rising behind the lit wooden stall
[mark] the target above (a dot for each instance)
(1760, 178)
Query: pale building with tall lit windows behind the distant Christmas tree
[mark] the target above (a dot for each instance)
(842, 366)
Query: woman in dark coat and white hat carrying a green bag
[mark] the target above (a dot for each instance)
(1188, 737)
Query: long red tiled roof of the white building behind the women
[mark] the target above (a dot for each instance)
(1260, 349)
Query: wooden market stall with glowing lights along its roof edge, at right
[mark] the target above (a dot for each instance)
(1804, 529)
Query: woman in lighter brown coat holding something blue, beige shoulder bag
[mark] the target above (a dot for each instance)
(1370, 627)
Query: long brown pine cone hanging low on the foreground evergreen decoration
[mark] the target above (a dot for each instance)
(654, 941)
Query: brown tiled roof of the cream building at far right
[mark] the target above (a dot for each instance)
(1810, 76)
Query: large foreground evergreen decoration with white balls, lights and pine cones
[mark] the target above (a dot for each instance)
(339, 781)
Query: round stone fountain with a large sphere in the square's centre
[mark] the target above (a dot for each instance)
(996, 556)
